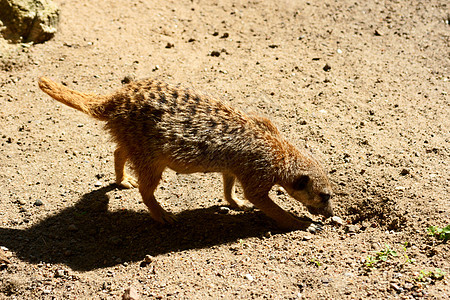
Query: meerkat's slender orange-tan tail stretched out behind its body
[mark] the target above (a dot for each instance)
(91, 104)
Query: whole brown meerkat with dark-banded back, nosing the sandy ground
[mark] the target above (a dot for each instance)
(157, 125)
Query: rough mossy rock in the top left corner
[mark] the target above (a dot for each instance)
(29, 20)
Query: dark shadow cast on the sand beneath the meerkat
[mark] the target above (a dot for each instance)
(88, 236)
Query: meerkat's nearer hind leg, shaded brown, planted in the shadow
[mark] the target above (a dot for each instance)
(148, 181)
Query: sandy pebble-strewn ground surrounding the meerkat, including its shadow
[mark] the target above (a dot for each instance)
(364, 84)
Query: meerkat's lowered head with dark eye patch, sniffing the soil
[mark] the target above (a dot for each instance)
(314, 191)
